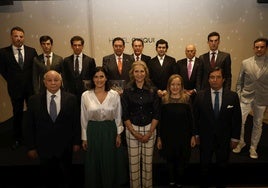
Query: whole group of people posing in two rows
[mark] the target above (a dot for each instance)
(71, 105)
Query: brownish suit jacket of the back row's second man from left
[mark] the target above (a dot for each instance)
(40, 68)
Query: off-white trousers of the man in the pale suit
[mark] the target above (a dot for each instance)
(258, 113)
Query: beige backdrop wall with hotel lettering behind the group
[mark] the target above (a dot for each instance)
(98, 21)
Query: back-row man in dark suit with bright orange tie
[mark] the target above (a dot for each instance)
(112, 62)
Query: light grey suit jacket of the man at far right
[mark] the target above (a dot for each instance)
(252, 85)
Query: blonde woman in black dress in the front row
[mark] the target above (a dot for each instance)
(175, 137)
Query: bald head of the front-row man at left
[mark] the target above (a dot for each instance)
(52, 81)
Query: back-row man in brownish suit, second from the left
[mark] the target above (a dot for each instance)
(44, 62)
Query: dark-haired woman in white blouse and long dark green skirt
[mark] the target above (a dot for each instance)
(101, 127)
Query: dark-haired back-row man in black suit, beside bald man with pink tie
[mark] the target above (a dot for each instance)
(161, 67)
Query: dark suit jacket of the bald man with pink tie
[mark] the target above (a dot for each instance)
(191, 83)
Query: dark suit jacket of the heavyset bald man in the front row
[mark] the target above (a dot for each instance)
(52, 138)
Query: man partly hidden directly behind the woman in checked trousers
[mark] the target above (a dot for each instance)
(137, 46)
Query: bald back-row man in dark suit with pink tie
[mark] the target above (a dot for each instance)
(188, 68)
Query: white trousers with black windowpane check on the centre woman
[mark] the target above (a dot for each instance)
(140, 156)
